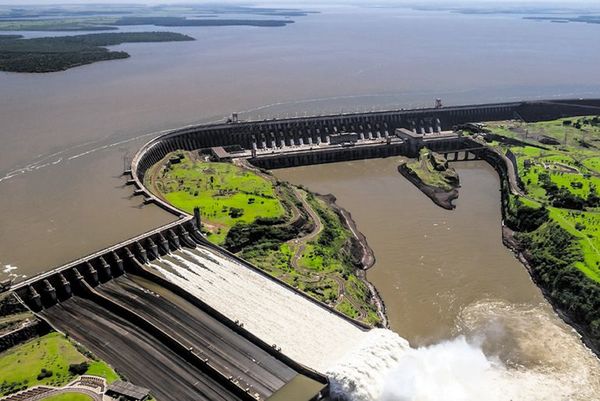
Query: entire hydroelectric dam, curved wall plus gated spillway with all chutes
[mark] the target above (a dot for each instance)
(191, 321)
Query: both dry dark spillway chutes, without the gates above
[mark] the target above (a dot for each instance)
(148, 360)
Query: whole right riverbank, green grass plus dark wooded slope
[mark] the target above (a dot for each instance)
(558, 218)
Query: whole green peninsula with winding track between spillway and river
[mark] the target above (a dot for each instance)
(298, 237)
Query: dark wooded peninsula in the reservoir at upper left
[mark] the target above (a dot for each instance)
(60, 53)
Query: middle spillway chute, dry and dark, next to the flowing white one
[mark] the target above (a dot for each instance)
(232, 354)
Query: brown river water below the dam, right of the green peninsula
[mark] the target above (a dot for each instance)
(446, 274)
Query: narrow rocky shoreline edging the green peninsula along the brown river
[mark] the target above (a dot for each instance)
(367, 255)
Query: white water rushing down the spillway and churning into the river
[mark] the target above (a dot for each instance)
(379, 365)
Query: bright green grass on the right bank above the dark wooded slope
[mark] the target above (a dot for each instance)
(572, 165)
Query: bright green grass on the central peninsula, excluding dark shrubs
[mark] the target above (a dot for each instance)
(219, 188)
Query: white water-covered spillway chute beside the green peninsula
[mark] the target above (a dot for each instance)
(304, 330)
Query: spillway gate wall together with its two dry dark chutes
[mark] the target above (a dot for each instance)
(155, 332)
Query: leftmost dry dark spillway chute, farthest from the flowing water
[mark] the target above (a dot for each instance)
(135, 353)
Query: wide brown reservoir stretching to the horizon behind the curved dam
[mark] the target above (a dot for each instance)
(66, 136)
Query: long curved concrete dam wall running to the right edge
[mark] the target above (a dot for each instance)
(271, 134)
